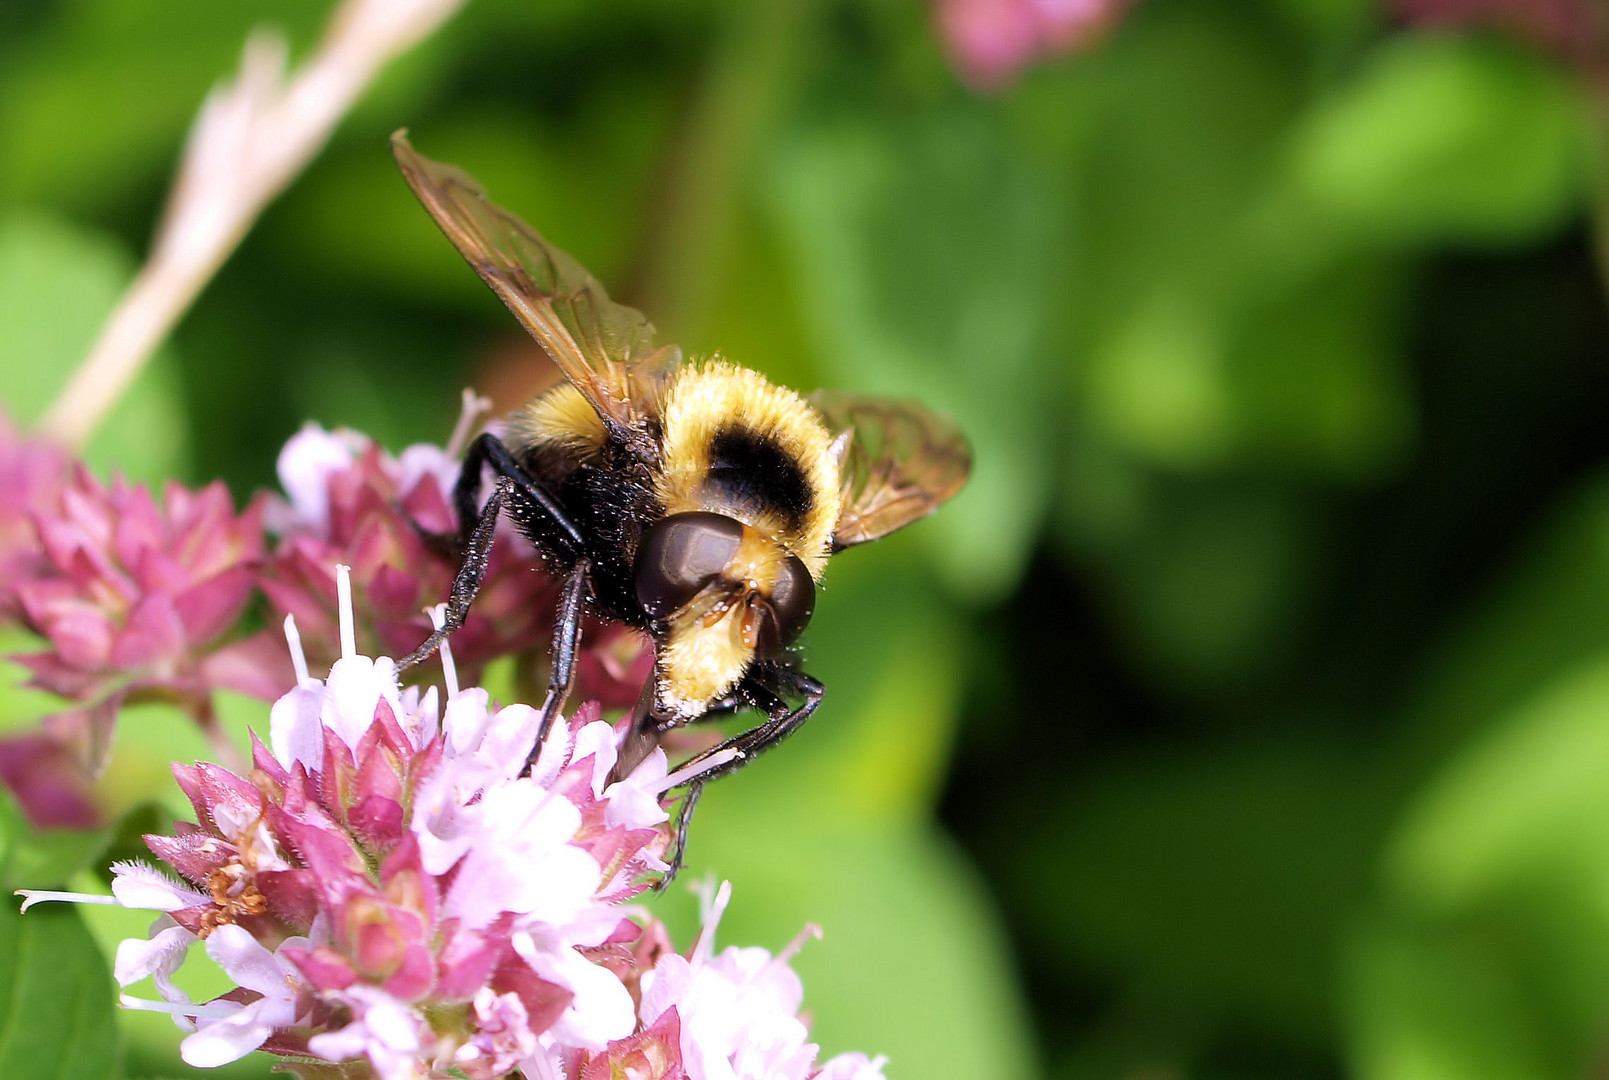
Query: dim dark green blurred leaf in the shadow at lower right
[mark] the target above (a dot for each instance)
(1222, 876)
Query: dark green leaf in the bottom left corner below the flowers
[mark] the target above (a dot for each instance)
(56, 999)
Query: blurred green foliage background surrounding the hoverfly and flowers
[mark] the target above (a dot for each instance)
(1246, 717)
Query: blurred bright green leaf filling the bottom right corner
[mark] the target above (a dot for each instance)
(1492, 950)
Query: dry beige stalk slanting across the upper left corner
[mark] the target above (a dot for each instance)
(250, 141)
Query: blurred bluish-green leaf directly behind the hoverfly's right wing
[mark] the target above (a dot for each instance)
(950, 316)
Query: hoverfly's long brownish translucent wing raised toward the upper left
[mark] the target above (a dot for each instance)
(604, 348)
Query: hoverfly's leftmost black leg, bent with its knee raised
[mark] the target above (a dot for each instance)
(537, 513)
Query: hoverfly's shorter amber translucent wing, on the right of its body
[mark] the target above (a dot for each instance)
(899, 463)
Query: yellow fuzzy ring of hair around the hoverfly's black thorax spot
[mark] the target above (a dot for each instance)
(712, 397)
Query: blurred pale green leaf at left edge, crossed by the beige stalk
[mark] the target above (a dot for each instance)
(57, 286)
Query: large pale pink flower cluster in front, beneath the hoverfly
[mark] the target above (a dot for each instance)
(393, 889)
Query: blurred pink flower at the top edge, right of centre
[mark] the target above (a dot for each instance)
(994, 41)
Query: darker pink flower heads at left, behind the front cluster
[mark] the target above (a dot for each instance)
(138, 598)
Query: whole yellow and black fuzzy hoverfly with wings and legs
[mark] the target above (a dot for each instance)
(696, 503)
